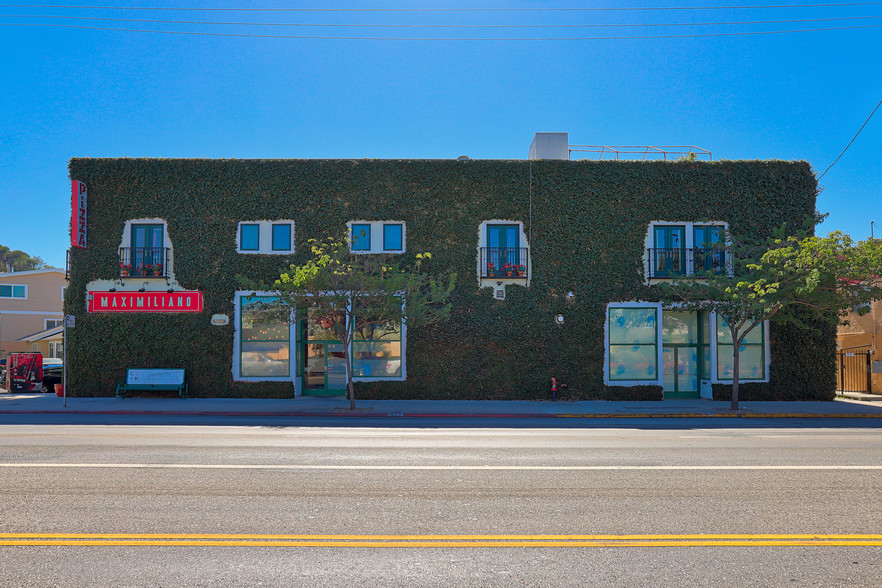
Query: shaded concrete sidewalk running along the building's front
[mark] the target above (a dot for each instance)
(35, 403)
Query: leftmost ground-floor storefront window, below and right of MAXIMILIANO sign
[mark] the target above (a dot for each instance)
(265, 338)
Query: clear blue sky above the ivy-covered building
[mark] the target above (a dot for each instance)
(81, 92)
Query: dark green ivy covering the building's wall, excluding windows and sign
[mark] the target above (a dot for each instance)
(585, 221)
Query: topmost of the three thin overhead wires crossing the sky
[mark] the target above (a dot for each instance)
(622, 9)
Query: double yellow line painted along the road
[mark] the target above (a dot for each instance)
(206, 540)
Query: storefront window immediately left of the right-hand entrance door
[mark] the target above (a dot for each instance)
(633, 343)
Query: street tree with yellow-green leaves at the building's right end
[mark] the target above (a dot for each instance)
(778, 279)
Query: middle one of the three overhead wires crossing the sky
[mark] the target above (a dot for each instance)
(436, 26)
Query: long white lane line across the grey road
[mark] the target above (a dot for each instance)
(198, 466)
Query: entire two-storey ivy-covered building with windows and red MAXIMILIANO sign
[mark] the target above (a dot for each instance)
(558, 263)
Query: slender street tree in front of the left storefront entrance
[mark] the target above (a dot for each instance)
(362, 296)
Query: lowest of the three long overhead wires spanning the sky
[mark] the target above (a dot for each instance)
(350, 38)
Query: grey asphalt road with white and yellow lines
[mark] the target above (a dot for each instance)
(275, 505)
